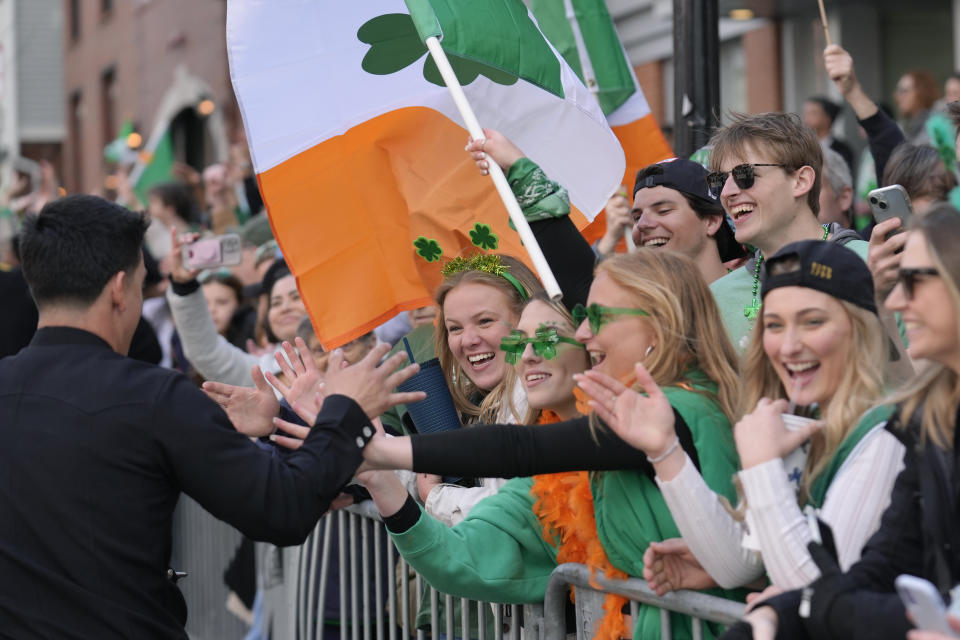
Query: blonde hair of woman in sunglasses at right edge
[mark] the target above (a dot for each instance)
(937, 387)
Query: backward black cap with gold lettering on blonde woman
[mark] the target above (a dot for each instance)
(824, 266)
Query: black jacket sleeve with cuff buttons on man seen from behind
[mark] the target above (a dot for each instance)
(267, 497)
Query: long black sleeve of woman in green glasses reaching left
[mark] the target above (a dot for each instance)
(512, 451)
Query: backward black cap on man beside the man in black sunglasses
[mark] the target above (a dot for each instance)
(690, 179)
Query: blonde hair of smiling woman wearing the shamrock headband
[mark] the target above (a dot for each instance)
(461, 387)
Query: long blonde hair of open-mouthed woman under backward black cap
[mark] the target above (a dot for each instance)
(860, 388)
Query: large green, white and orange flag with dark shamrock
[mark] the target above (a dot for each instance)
(358, 147)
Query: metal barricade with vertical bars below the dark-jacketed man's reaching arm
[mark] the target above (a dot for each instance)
(350, 552)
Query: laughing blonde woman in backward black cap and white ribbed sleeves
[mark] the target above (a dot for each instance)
(819, 344)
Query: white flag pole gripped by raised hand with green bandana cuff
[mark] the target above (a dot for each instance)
(499, 180)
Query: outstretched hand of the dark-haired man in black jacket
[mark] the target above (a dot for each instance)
(369, 385)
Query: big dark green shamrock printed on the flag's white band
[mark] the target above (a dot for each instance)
(395, 45)
